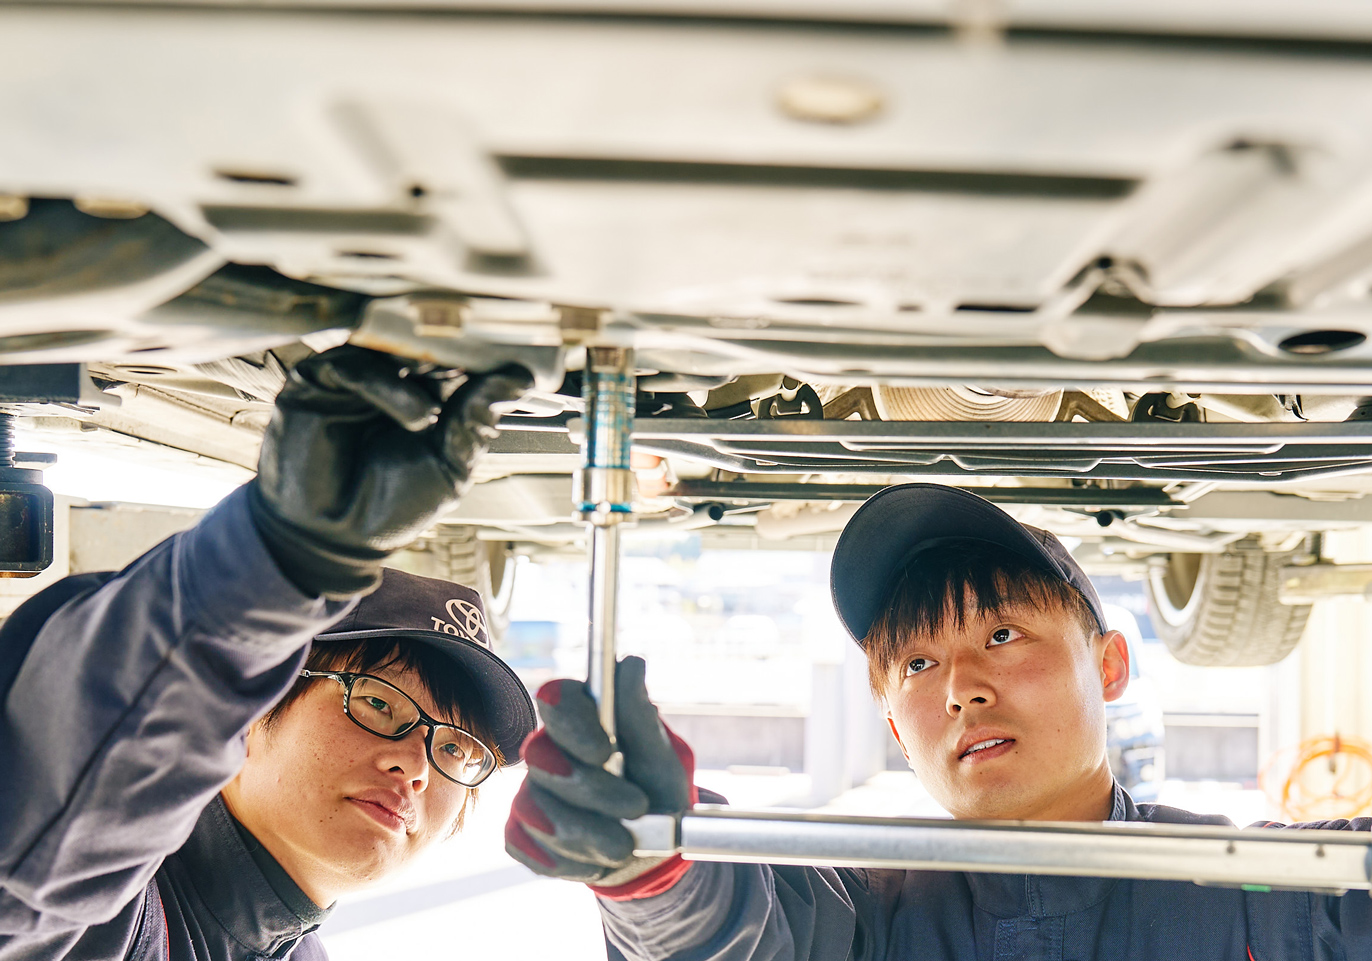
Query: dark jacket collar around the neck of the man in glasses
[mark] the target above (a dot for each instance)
(239, 892)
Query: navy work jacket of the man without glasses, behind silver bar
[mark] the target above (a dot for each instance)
(726, 912)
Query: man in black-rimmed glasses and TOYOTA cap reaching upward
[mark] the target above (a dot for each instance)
(185, 776)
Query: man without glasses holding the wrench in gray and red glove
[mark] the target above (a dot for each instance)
(989, 646)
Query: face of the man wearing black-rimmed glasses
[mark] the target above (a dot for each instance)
(335, 805)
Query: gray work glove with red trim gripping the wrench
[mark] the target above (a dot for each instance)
(566, 819)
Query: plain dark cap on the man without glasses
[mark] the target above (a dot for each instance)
(901, 522)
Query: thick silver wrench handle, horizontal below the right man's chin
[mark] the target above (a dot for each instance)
(1253, 859)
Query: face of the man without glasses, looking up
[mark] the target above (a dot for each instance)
(1005, 716)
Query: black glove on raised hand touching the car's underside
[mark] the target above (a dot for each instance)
(363, 454)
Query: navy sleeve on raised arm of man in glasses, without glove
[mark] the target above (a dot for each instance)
(130, 715)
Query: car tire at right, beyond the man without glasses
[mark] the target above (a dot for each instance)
(1222, 610)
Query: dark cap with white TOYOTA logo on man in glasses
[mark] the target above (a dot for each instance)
(449, 618)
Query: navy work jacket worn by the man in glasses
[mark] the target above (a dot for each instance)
(123, 723)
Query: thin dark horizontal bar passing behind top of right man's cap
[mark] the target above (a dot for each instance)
(1079, 498)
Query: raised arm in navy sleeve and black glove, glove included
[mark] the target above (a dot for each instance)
(128, 713)
